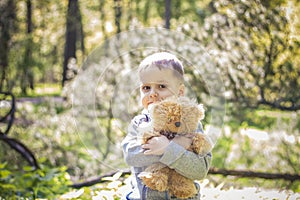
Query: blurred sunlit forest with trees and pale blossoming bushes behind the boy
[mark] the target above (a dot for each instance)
(52, 52)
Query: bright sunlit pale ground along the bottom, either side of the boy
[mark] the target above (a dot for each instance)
(114, 190)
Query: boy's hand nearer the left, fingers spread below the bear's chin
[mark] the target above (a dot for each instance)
(156, 145)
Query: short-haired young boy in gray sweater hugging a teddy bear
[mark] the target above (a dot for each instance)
(161, 76)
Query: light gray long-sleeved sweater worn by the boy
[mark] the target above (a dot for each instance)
(176, 157)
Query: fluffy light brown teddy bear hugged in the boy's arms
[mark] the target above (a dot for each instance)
(171, 117)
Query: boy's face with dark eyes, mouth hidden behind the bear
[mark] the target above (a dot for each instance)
(158, 84)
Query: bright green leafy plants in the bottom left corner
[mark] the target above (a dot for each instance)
(46, 182)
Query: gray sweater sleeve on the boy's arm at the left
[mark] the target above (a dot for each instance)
(132, 149)
